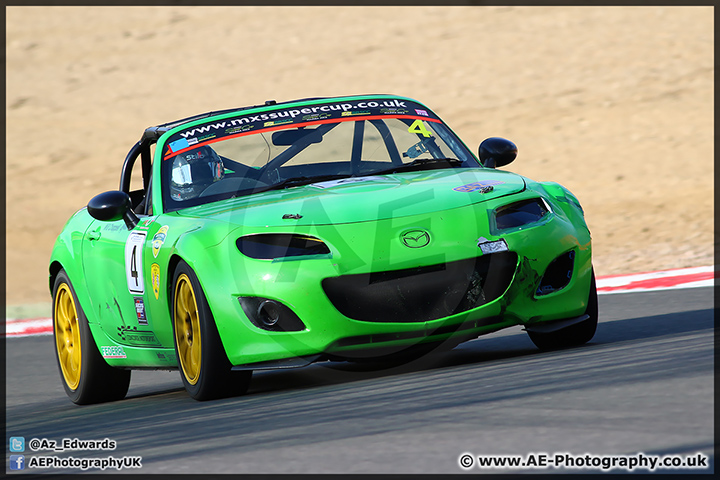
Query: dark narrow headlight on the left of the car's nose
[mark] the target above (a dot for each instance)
(269, 246)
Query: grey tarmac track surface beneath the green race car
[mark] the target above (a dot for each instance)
(644, 384)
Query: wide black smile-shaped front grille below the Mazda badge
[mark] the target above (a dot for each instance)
(424, 293)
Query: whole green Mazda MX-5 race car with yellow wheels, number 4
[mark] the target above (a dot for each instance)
(282, 234)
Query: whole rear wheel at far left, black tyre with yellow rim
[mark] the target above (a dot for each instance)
(86, 376)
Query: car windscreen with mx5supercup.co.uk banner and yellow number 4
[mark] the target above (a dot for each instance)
(291, 147)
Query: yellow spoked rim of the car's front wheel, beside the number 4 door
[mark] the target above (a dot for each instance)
(187, 329)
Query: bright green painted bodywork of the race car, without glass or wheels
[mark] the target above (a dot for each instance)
(360, 223)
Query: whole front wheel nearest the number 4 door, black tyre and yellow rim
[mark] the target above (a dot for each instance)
(204, 367)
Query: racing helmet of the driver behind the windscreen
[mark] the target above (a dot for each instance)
(193, 171)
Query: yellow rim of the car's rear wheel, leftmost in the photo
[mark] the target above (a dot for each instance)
(67, 336)
